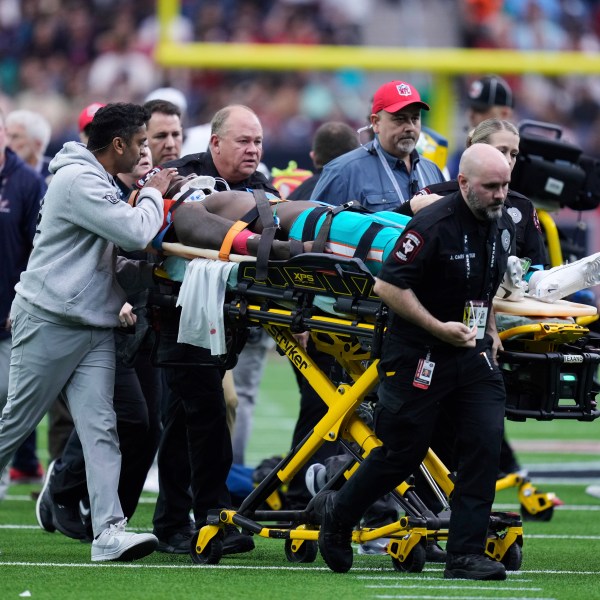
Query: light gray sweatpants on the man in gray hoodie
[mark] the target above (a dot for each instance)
(47, 358)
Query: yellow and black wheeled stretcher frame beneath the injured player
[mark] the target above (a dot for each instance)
(333, 299)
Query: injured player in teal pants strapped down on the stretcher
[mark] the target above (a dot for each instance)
(249, 223)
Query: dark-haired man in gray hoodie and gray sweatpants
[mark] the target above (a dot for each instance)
(67, 304)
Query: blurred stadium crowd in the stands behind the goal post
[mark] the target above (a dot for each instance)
(57, 56)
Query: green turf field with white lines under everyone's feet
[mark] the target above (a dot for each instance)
(561, 558)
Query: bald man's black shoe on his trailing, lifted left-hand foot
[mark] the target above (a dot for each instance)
(335, 537)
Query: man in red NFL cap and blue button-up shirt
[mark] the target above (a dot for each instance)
(386, 173)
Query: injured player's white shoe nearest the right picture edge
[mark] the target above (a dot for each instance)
(558, 282)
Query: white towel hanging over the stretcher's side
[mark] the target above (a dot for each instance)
(201, 299)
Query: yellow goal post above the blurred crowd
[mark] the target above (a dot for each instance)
(442, 64)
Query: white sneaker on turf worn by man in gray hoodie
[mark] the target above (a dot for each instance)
(115, 543)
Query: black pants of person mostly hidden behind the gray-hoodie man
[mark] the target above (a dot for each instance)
(136, 402)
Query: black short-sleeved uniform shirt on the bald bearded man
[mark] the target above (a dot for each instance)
(447, 257)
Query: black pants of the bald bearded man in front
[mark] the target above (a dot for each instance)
(473, 394)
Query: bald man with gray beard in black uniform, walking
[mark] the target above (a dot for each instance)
(439, 350)
